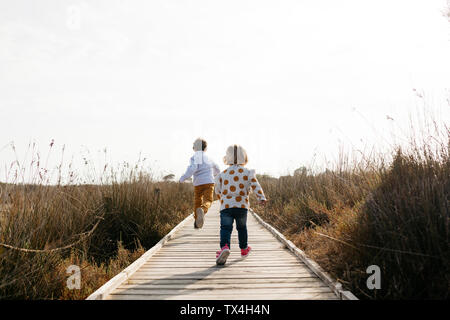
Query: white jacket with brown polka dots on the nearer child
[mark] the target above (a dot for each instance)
(233, 187)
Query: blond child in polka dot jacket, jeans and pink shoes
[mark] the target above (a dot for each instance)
(232, 187)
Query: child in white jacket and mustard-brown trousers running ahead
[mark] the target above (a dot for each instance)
(204, 170)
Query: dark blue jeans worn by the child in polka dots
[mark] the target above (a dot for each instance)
(227, 216)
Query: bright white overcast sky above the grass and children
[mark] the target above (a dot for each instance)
(286, 79)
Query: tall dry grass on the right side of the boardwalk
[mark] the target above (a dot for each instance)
(394, 215)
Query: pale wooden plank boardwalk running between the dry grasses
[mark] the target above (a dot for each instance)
(182, 266)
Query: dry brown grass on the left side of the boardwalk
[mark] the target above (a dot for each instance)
(135, 212)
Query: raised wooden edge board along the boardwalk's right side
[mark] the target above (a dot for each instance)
(334, 285)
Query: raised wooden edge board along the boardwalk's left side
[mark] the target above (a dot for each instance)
(102, 292)
